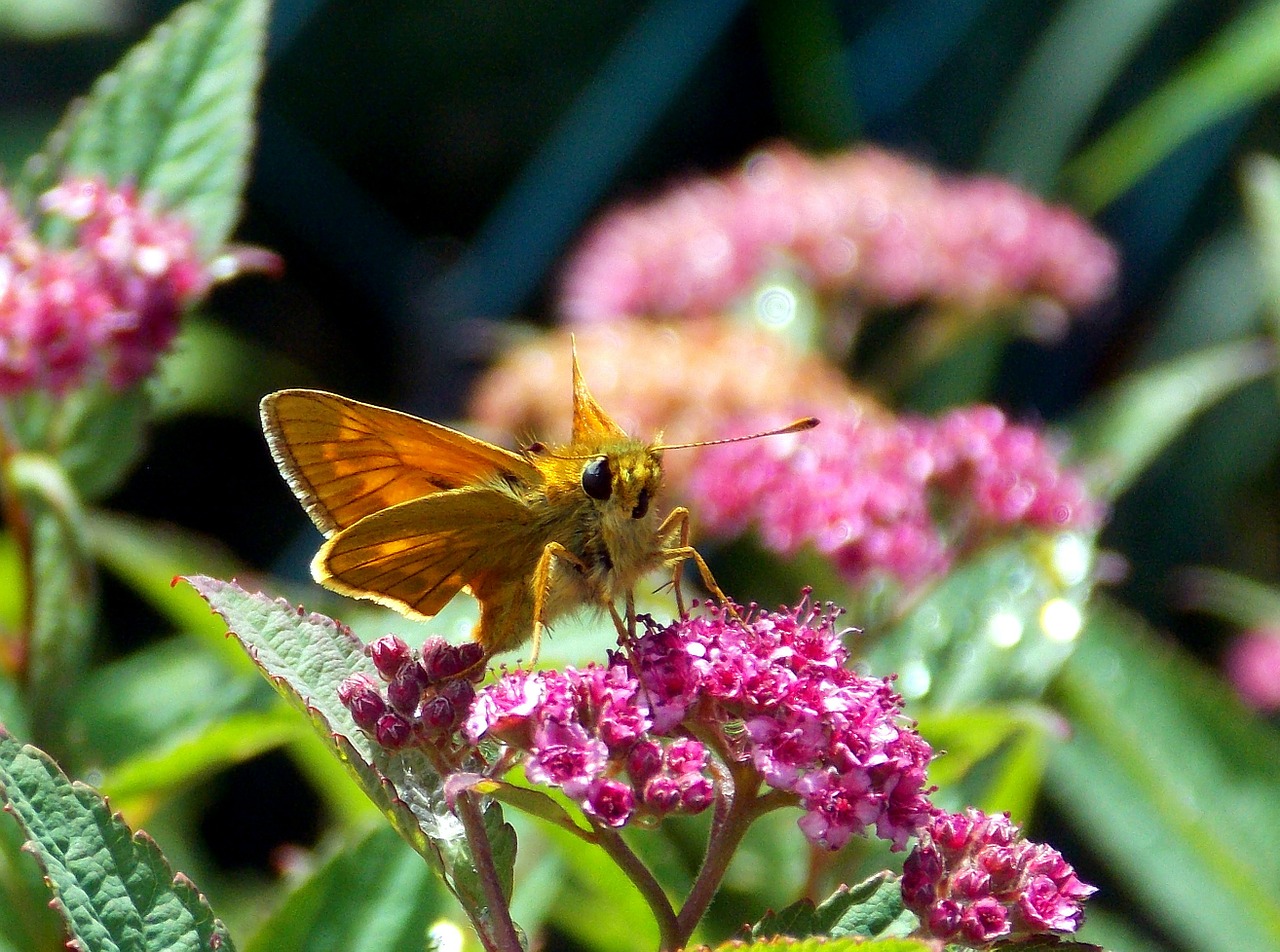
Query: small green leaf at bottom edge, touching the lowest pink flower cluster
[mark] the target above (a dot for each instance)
(874, 908)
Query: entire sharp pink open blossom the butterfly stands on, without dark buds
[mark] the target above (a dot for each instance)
(775, 689)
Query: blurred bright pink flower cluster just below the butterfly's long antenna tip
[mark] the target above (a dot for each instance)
(899, 497)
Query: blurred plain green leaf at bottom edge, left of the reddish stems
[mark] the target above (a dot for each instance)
(374, 895)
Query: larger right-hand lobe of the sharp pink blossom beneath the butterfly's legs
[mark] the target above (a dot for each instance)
(776, 688)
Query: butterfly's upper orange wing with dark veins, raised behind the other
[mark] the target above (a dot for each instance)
(348, 460)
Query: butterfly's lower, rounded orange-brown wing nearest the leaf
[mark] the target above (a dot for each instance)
(417, 556)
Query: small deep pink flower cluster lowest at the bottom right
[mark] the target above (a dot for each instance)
(973, 877)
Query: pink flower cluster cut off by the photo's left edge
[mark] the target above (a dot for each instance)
(106, 308)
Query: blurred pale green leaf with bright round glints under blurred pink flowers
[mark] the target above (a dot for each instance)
(995, 629)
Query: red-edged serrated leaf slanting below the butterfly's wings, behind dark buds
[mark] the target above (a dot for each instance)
(307, 657)
